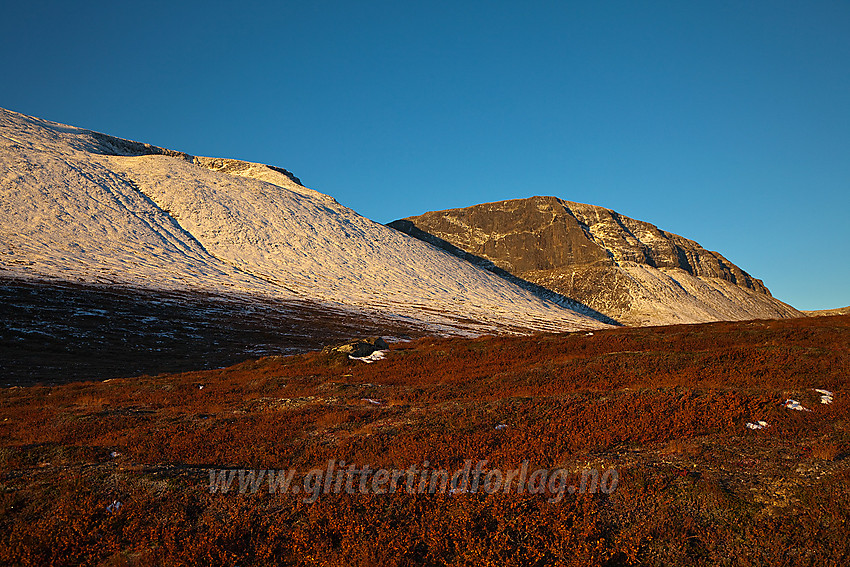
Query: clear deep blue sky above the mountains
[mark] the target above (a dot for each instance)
(726, 122)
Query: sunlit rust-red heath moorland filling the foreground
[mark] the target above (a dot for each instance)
(667, 407)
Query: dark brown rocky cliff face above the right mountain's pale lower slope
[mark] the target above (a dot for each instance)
(546, 233)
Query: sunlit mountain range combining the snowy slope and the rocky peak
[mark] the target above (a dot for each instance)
(88, 208)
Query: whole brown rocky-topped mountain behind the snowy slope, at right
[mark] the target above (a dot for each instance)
(628, 270)
